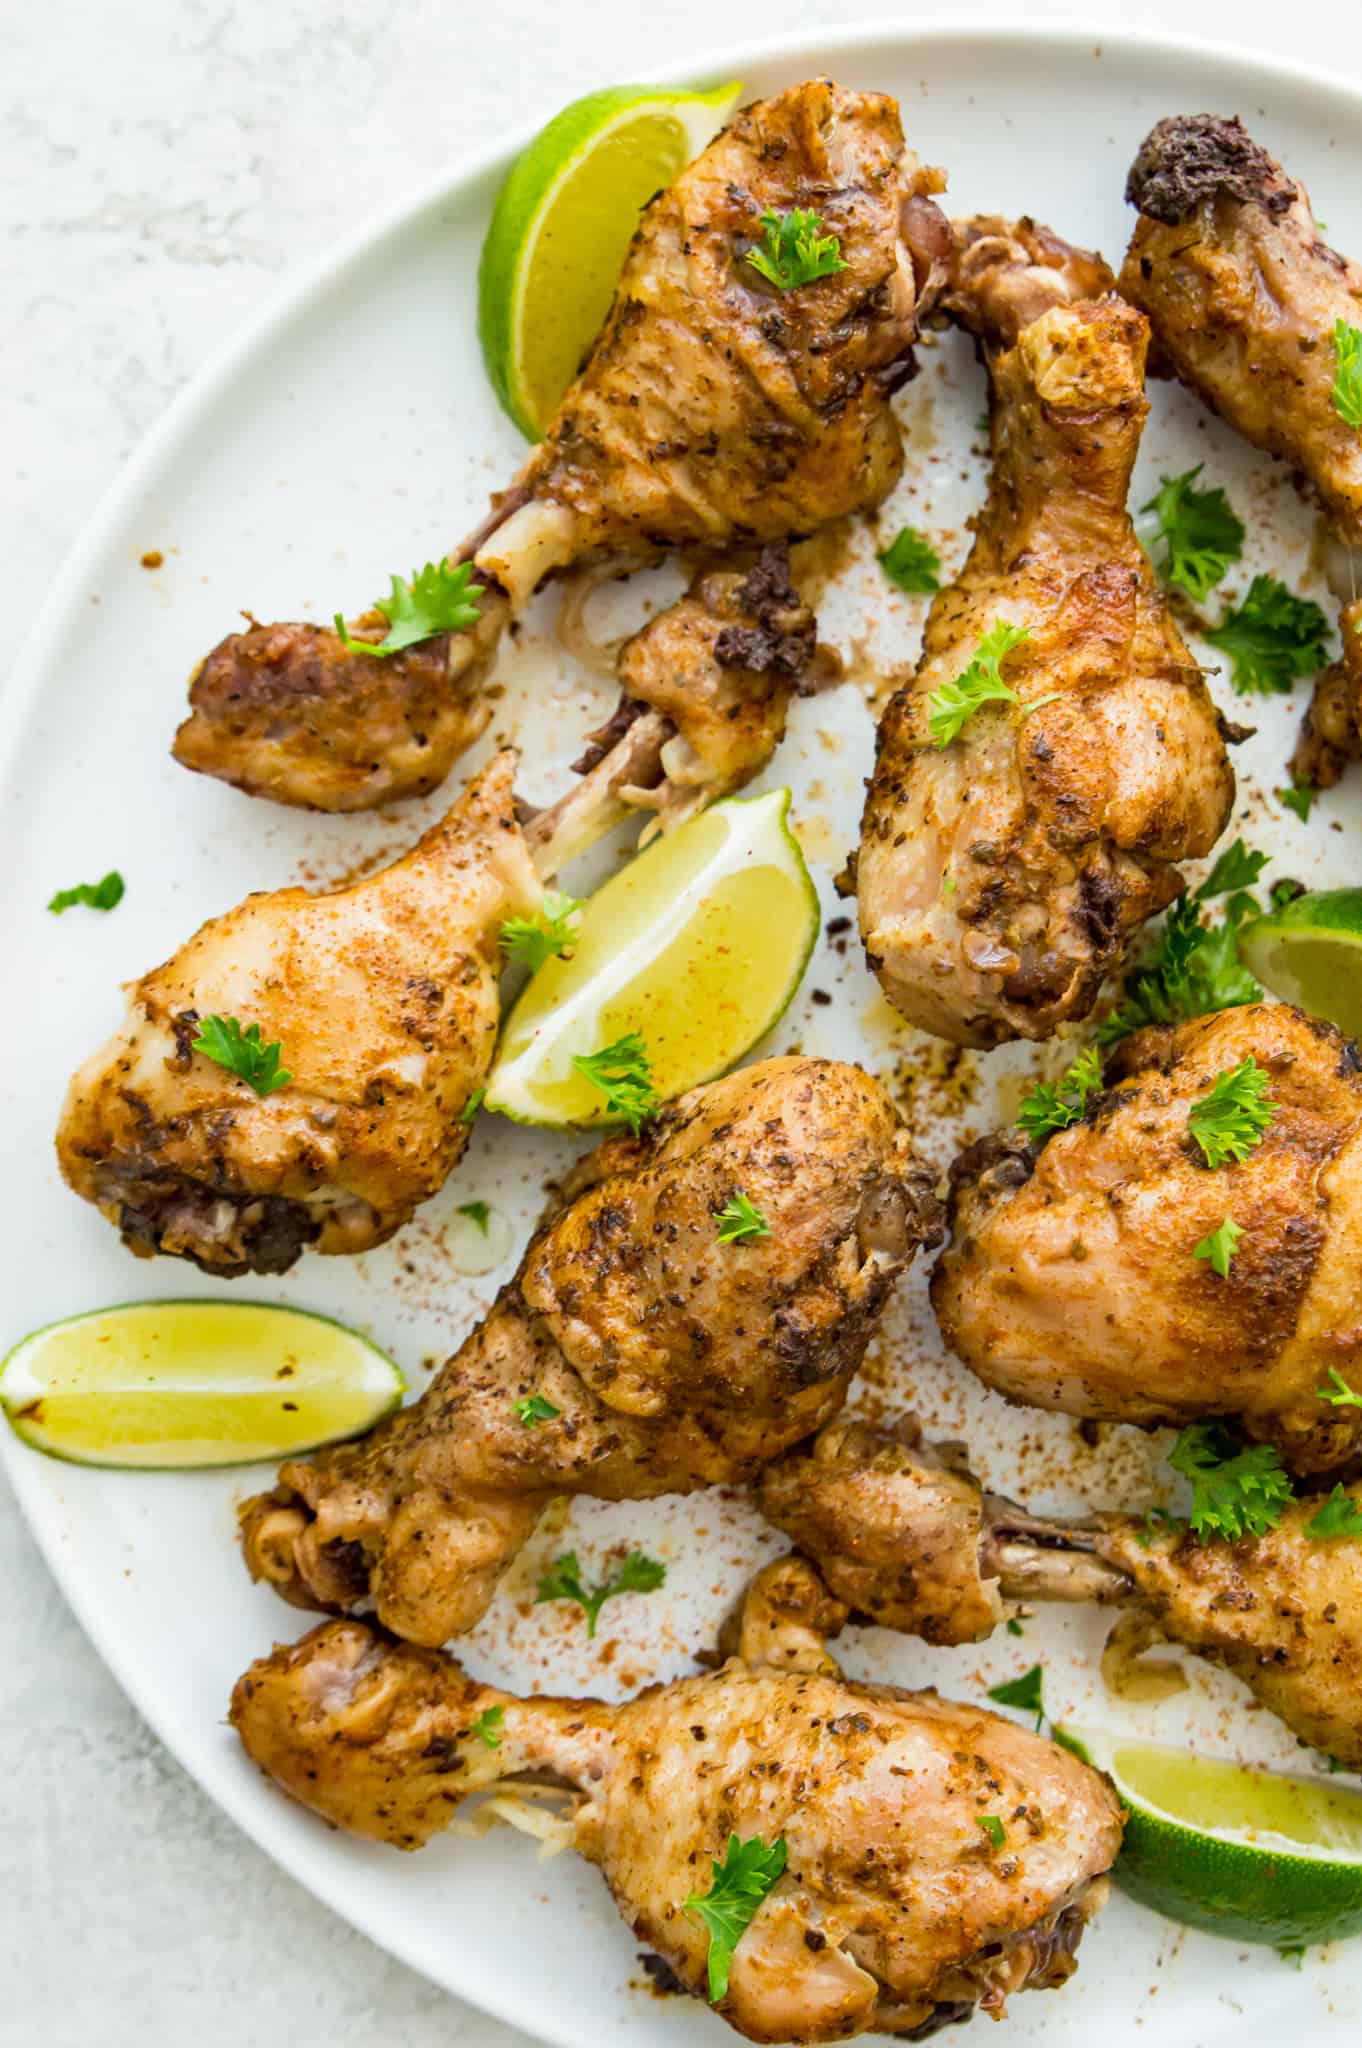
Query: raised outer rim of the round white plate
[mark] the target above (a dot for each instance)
(1244, 67)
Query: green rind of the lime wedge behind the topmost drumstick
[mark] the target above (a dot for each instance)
(529, 191)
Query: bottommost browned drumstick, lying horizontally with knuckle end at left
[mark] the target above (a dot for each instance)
(894, 1912)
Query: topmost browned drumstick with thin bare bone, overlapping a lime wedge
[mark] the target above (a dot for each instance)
(714, 413)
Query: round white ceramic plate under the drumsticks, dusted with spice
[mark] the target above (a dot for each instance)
(353, 435)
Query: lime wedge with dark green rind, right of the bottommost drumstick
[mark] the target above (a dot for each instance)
(1248, 1854)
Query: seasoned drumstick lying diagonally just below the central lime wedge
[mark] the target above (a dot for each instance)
(673, 1361)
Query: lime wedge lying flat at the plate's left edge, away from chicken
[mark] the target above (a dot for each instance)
(189, 1383)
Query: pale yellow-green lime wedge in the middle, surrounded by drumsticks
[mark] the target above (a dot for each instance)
(697, 945)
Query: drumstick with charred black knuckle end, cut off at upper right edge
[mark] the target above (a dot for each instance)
(1244, 294)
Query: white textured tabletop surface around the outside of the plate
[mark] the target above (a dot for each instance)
(163, 167)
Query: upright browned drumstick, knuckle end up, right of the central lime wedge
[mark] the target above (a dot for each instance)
(1003, 873)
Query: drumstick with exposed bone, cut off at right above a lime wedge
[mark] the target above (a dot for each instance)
(912, 1543)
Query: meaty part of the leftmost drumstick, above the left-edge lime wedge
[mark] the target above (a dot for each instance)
(384, 998)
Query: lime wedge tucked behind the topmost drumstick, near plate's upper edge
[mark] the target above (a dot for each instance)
(562, 226)
